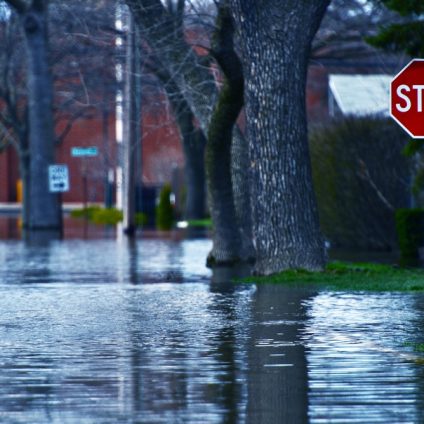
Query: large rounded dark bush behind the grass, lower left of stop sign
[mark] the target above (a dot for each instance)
(360, 178)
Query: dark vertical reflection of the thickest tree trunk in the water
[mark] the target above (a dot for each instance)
(277, 374)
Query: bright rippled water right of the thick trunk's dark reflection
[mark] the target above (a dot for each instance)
(358, 364)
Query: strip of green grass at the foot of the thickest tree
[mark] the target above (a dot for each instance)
(360, 276)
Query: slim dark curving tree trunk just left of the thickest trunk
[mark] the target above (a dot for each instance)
(227, 240)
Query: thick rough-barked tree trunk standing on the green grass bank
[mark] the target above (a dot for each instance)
(275, 37)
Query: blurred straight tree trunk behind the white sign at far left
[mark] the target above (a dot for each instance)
(44, 207)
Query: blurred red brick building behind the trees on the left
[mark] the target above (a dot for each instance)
(161, 154)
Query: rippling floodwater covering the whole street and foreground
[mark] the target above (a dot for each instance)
(105, 331)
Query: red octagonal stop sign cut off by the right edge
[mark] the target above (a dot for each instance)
(407, 98)
